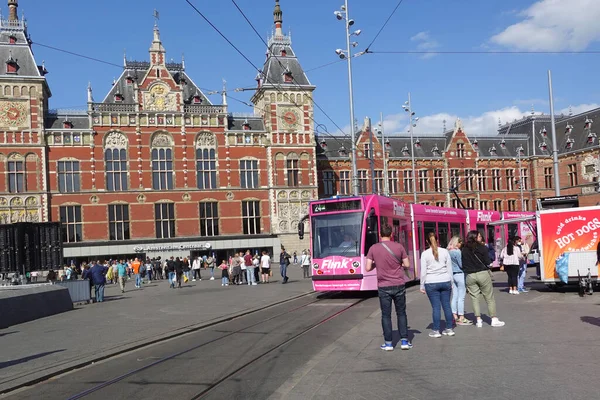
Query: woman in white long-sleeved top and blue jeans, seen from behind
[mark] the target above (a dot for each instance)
(436, 281)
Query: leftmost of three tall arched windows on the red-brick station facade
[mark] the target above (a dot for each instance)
(115, 158)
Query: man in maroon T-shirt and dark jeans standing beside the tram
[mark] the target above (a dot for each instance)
(390, 261)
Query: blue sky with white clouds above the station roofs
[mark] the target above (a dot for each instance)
(477, 88)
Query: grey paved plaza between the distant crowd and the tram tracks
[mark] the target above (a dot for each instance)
(38, 348)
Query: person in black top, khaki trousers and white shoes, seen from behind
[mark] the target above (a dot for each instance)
(476, 264)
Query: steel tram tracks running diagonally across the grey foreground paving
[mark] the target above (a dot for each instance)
(157, 364)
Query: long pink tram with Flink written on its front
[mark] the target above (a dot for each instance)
(342, 229)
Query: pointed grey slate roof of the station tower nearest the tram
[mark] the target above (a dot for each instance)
(282, 67)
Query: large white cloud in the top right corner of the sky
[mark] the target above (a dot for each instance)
(554, 25)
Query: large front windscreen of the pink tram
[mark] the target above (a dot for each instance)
(337, 235)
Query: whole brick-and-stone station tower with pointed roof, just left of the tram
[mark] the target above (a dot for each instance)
(284, 98)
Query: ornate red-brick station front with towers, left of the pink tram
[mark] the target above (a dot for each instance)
(155, 168)
